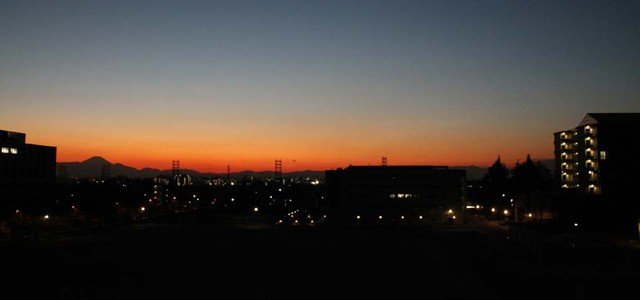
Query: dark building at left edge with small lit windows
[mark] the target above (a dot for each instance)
(25, 163)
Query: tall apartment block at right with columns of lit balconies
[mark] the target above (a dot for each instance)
(600, 154)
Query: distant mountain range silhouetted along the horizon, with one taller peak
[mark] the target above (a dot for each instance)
(92, 168)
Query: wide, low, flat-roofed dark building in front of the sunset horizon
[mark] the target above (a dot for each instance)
(395, 194)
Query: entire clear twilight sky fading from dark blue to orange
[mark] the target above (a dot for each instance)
(320, 84)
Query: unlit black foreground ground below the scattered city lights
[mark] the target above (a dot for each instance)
(182, 260)
